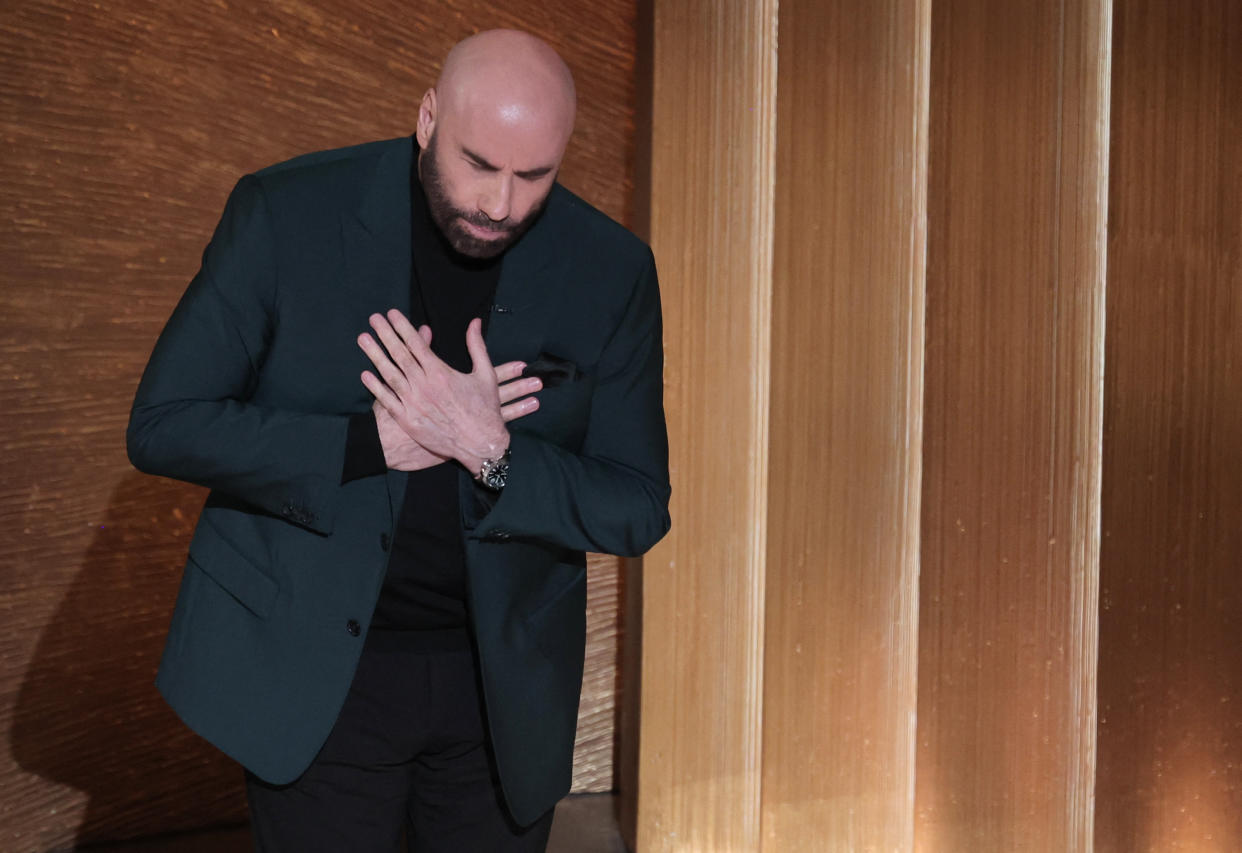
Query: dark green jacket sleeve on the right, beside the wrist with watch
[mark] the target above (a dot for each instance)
(613, 496)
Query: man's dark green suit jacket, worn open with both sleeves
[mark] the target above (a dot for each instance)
(249, 392)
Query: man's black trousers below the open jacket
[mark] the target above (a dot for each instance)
(408, 765)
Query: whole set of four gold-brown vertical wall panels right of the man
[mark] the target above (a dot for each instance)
(1081, 537)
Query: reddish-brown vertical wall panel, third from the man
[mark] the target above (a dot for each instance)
(1012, 455)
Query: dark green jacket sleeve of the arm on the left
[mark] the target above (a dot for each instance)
(193, 419)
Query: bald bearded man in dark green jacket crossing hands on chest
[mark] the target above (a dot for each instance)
(420, 381)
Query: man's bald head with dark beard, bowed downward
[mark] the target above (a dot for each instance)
(494, 132)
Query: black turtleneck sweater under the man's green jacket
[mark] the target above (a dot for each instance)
(425, 587)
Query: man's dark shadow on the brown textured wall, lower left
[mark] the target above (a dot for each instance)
(89, 716)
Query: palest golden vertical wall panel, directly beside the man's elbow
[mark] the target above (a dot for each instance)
(714, 121)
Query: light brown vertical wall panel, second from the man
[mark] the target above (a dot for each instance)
(841, 604)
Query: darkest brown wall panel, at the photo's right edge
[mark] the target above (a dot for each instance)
(1171, 662)
